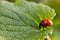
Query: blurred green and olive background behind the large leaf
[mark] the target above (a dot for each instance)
(56, 5)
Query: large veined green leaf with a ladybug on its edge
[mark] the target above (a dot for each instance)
(22, 22)
